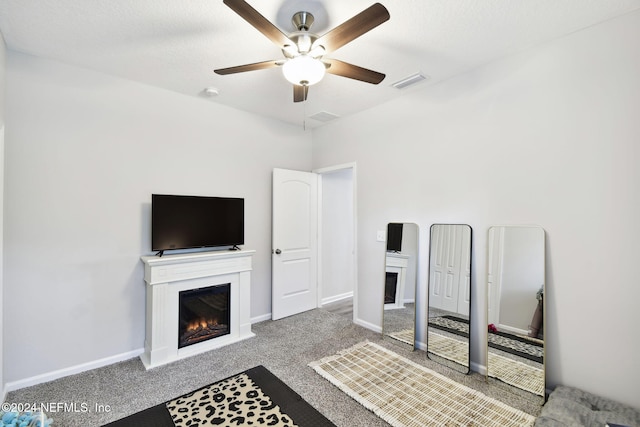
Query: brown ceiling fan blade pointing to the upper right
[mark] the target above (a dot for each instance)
(349, 30)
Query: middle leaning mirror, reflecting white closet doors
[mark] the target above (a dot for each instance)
(448, 322)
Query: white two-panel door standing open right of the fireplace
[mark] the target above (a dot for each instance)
(295, 229)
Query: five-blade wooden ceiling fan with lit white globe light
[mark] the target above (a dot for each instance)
(304, 63)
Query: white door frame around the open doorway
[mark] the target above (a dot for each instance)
(321, 172)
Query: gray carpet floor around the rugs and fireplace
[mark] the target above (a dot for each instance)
(285, 347)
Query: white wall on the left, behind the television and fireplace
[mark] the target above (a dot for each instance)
(84, 153)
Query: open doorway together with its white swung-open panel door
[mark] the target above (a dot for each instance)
(314, 235)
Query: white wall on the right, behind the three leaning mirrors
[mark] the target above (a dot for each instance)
(549, 136)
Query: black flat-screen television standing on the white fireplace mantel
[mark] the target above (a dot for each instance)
(188, 222)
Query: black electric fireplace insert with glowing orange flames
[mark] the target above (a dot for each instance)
(203, 314)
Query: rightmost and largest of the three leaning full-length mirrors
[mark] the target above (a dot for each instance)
(515, 286)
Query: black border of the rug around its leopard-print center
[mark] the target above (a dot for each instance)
(290, 402)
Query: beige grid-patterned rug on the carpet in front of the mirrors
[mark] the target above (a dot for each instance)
(406, 394)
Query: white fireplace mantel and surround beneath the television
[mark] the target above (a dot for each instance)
(169, 275)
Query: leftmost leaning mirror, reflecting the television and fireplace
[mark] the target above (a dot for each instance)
(401, 264)
